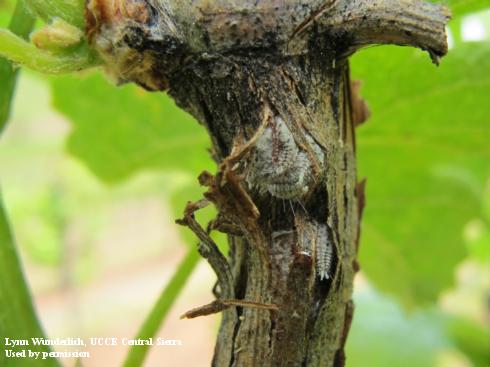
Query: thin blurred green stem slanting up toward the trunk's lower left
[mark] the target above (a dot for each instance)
(137, 354)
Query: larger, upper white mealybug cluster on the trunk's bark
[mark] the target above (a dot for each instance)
(278, 165)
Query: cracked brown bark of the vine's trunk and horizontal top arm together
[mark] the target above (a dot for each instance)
(235, 66)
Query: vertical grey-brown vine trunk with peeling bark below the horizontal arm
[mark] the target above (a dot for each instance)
(273, 248)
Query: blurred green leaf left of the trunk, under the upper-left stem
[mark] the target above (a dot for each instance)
(118, 132)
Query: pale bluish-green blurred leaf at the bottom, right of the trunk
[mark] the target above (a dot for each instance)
(382, 335)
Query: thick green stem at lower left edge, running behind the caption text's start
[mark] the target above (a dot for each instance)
(17, 315)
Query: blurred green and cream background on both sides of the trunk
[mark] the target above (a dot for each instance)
(93, 177)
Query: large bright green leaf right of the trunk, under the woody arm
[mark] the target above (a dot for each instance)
(426, 154)
